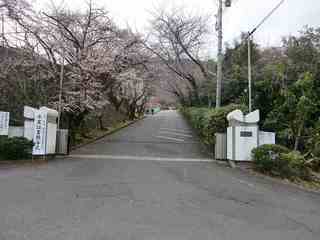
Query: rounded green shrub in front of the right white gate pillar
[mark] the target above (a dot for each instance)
(277, 160)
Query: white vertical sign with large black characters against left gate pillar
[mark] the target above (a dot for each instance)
(40, 132)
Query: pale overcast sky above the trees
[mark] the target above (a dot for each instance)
(242, 16)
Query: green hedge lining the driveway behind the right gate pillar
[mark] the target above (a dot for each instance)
(208, 121)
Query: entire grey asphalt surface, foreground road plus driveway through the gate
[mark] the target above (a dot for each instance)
(145, 182)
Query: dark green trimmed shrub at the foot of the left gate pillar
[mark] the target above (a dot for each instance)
(17, 148)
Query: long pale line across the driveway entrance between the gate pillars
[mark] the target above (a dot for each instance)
(138, 158)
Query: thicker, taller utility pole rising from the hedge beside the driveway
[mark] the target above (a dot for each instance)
(219, 65)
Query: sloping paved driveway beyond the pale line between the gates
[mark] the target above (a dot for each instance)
(164, 135)
